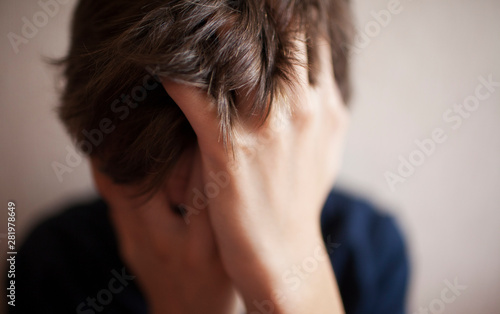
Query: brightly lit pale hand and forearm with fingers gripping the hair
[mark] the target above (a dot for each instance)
(265, 216)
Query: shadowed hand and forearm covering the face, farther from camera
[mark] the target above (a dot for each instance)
(177, 266)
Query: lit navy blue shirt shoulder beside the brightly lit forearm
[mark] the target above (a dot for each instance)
(368, 254)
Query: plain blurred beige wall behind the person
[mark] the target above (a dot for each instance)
(424, 143)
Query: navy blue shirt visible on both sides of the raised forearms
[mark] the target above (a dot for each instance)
(70, 263)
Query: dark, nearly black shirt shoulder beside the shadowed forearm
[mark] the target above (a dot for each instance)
(74, 255)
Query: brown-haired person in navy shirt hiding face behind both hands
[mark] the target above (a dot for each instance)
(215, 131)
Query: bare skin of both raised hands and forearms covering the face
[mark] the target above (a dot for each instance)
(263, 220)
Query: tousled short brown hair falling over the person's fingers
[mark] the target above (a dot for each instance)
(117, 111)
